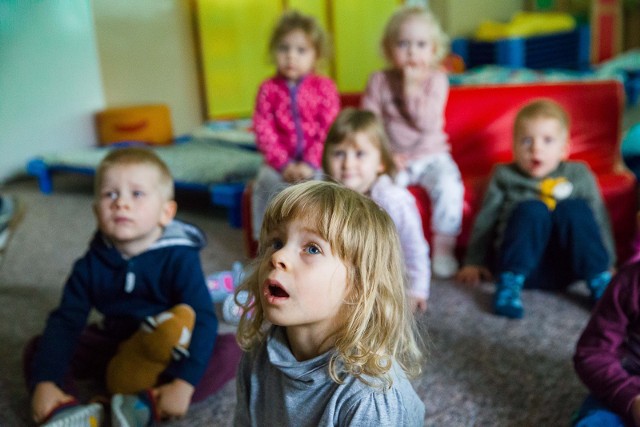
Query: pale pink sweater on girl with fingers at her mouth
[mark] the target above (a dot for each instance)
(423, 137)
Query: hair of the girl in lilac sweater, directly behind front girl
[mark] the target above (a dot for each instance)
(351, 121)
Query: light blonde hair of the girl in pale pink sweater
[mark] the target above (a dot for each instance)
(392, 31)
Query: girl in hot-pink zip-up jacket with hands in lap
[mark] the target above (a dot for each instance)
(293, 111)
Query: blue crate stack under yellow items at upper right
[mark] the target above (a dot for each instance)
(567, 50)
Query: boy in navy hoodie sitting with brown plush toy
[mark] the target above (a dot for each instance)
(140, 262)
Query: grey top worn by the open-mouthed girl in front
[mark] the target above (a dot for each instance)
(275, 389)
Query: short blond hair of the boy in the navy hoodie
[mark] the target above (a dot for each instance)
(136, 156)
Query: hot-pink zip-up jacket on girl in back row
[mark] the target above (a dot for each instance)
(291, 122)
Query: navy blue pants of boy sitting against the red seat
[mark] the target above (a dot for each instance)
(554, 248)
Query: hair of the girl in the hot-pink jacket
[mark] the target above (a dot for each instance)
(293, 20)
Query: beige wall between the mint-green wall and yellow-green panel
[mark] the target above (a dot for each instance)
(148, 56)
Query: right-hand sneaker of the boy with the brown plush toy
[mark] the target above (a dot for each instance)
(128, 410)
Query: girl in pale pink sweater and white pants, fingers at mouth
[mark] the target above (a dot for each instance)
(410, 98)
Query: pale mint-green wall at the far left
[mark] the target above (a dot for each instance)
(50, 83)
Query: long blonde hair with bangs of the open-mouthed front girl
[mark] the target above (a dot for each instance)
(375, 327)
